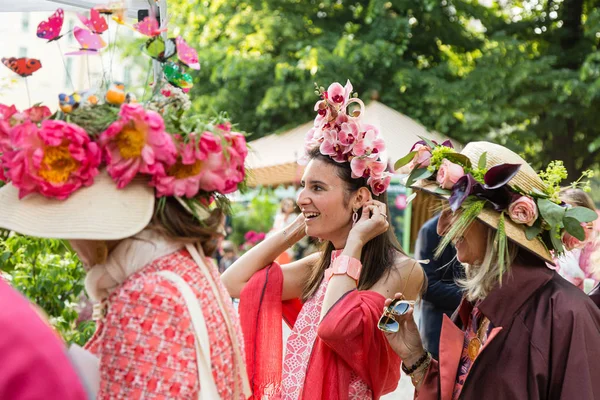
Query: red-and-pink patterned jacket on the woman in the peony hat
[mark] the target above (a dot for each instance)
(146, 342)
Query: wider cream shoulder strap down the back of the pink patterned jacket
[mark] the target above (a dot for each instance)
(208, 388)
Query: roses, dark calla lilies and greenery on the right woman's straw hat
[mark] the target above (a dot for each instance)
(476, 188)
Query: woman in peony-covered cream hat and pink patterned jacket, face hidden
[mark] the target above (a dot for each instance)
(140, 206)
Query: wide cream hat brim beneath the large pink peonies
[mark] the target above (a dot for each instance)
(98, 212)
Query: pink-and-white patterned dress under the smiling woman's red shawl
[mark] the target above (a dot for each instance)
(299, 348)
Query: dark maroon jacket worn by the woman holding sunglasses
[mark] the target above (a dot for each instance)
(545, 343)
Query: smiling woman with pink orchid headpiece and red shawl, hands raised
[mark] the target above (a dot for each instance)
(331, 299)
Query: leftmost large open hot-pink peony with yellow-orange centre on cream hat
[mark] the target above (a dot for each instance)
(54, 160)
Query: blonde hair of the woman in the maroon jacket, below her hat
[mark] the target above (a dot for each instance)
(481, 278)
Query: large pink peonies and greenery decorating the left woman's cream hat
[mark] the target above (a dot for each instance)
(182, 155)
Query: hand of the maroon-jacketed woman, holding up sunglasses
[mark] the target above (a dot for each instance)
(407, 341)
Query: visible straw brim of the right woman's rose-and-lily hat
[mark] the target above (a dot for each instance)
(514, 232)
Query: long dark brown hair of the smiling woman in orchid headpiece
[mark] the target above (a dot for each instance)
(377, 255)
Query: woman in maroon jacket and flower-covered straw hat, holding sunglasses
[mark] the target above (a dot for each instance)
(521, 330)
